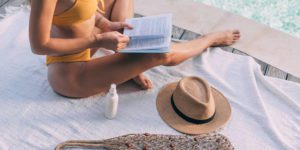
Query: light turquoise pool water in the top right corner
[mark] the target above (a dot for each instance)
(283, 15)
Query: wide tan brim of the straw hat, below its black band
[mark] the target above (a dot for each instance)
(164, 107)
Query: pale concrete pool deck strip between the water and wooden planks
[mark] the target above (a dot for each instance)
(260, 41)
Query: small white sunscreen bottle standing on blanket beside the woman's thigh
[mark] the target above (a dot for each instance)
(111, 102)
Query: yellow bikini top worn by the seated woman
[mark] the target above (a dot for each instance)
(81, 10)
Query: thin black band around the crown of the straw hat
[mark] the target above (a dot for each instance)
(187, 118)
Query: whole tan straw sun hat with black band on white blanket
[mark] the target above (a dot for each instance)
(192, 106)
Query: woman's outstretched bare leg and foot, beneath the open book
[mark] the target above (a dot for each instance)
(97, 74)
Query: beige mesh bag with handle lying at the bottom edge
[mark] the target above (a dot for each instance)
(212, 141)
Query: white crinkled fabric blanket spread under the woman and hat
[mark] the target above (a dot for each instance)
(265, 111)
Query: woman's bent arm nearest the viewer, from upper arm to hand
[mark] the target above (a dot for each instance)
(41, 15)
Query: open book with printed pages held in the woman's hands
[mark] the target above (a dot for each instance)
(149, 34)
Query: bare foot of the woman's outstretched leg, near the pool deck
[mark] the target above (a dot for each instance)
(223, 38)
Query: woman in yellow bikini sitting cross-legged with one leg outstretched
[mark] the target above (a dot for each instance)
(69, 31)
